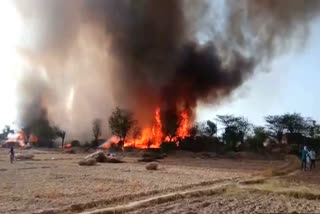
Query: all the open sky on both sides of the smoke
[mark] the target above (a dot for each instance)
(291, 84)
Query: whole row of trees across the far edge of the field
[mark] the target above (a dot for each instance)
(233, 133)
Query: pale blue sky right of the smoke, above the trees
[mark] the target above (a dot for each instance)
(291, 85)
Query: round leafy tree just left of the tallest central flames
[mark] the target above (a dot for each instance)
(121, 122)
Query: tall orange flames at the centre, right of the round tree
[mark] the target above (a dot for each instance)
(154, 137)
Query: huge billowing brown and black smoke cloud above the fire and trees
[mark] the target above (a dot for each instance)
(88, 56)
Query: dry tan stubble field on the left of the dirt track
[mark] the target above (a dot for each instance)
(54, 182)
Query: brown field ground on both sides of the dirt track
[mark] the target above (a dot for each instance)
(54, 183)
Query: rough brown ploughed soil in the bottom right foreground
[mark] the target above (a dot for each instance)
(239, 203)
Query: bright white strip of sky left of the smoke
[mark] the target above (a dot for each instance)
(9, 36)
